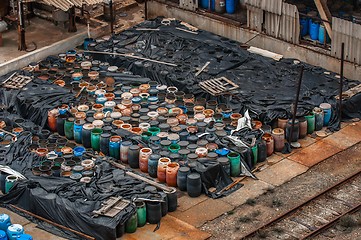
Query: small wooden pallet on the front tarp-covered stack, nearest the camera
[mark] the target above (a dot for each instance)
(112, 207)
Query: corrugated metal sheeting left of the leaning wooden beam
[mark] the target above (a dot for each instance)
(281, 20)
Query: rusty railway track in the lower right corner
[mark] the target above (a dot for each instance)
(316, 214)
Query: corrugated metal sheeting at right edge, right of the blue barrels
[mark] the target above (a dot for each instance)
(349, 33)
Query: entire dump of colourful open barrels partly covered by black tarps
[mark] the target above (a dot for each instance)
(102, 143)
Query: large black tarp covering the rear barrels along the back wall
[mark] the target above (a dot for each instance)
(267, 87)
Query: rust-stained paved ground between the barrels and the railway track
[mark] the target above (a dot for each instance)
(197, 218)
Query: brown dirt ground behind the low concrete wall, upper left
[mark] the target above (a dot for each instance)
(42, 32)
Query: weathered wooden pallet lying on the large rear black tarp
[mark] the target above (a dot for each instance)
(218, 86)
